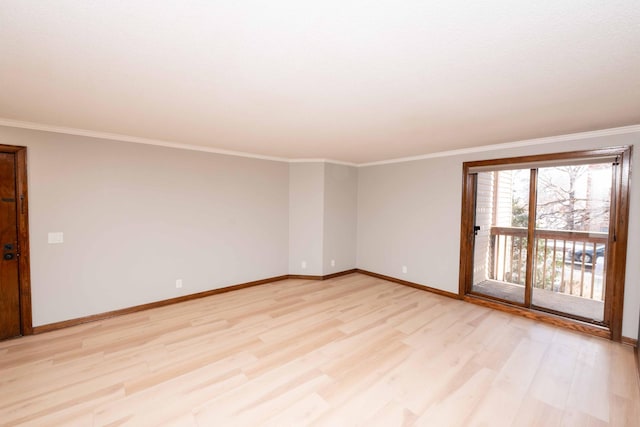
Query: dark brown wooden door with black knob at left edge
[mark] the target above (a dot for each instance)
(9, 269)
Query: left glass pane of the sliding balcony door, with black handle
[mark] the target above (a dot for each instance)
(500, 250)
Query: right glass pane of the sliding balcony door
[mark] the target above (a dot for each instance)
(572, 224)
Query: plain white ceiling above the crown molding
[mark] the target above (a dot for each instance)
(356, 81)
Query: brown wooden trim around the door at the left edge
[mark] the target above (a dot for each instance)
(20, 153)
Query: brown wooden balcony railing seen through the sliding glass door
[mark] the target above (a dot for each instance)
(569, 262)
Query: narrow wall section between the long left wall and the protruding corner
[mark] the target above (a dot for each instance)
(306, 218)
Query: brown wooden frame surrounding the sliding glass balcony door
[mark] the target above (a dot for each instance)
(616, 265)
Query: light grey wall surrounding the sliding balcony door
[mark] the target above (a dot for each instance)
(409, 214)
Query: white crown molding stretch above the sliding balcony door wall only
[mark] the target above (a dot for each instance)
(522, 143)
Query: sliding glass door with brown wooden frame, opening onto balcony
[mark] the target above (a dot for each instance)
(544, 233)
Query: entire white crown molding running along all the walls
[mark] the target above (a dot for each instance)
(171, 144)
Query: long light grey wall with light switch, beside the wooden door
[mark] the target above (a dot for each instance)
(136, 218)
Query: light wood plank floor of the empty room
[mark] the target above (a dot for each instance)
(350, 351)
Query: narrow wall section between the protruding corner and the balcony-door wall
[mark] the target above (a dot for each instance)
(340, 217)
